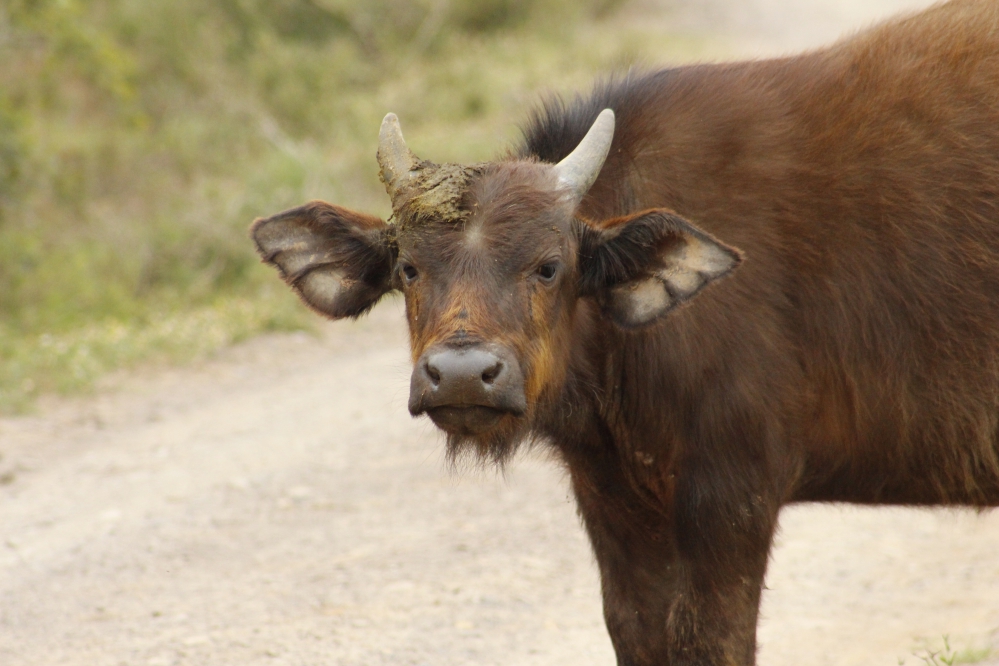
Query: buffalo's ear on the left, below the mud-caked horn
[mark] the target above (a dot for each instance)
(338, 261)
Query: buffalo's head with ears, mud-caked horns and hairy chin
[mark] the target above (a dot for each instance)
(498, 267)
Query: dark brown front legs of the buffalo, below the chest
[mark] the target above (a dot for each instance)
(681, 580)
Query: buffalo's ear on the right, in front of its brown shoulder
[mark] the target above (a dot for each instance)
(642, 266)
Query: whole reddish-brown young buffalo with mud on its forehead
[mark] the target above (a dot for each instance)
(712, 290)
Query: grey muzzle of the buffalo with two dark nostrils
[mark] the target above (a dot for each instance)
(477, 376)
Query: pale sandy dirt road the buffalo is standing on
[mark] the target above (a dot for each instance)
(277, 505)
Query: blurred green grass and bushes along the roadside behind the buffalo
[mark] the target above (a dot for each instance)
(138, 139)
